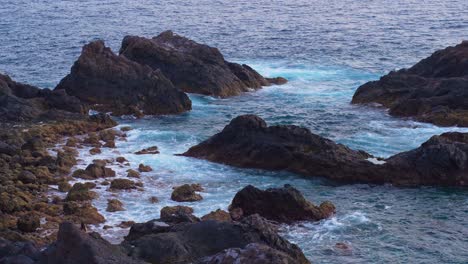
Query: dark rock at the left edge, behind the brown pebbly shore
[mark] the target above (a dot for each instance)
(22, 102)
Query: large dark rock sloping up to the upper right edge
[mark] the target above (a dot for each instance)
(434, 90)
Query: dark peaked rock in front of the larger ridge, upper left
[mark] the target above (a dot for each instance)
(115, 84)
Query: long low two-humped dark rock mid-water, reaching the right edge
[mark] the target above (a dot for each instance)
(248, 142)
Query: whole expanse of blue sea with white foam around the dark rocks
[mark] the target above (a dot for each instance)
(326, 49)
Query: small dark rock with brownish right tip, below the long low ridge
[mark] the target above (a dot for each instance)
(279, 204)
